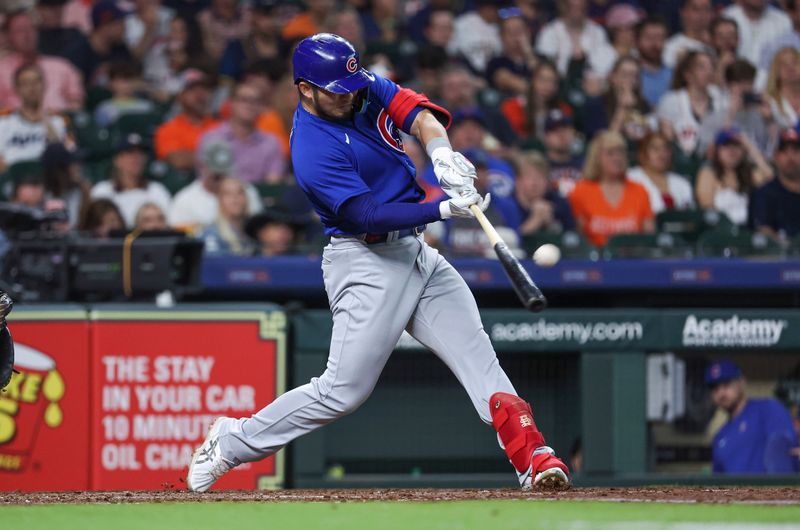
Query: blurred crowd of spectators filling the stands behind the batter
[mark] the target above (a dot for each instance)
(593, 123)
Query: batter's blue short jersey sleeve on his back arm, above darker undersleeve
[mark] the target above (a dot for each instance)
(326, 172)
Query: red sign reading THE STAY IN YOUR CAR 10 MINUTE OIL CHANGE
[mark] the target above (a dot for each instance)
(159, 381)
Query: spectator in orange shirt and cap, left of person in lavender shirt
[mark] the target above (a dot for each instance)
(177, 139)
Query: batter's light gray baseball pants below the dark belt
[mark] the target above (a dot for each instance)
(375, 292)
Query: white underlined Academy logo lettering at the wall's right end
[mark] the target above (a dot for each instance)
(733, 331)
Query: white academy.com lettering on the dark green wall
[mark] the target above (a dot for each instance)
(565, 331)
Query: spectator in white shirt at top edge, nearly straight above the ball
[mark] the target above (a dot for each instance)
(573, 37)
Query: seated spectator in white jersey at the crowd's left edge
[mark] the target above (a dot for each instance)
(26, 132)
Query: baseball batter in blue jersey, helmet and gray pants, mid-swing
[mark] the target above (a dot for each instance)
(380, 276)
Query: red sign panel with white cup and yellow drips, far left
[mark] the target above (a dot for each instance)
(44, 411)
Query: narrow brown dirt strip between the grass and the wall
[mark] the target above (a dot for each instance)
(753, 495)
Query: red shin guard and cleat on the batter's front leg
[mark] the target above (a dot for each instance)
(535, 463)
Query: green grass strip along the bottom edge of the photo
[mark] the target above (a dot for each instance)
(483, 515)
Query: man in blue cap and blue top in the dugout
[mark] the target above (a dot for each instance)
(759, 436)
